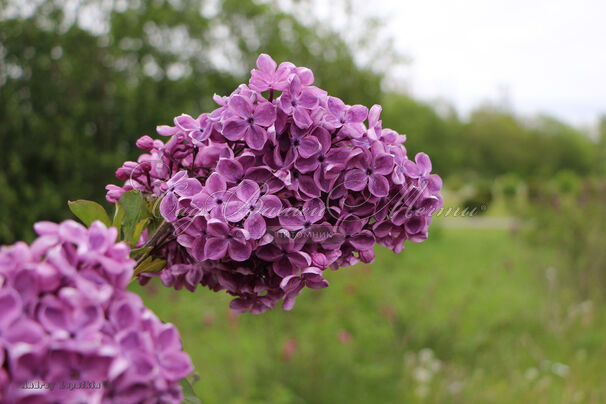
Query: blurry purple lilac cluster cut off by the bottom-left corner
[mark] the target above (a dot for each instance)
(70, 332)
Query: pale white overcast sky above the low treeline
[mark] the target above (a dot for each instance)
(543, 55)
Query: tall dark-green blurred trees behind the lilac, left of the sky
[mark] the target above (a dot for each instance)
(79, 83)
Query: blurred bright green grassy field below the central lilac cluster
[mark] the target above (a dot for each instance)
(472, 315)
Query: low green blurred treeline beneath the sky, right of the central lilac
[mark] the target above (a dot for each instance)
(492, 142)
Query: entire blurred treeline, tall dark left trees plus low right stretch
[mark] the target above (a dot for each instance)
(73, 102)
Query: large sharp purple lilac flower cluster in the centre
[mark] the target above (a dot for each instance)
(277, 184)
